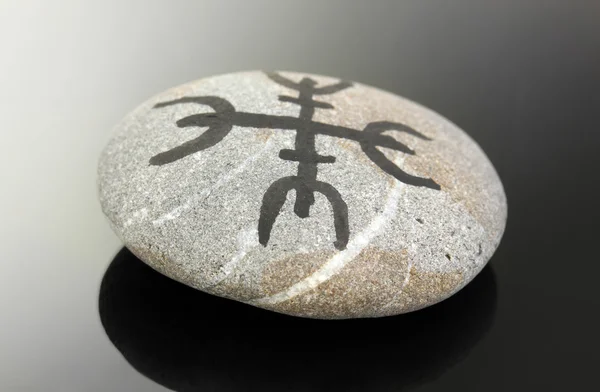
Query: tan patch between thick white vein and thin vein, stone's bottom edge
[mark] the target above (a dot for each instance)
(372, 280)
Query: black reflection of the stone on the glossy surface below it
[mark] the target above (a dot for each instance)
(188, 340)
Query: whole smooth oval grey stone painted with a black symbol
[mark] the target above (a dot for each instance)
(302, 194)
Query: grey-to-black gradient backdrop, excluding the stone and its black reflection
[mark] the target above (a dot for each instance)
(521, 77)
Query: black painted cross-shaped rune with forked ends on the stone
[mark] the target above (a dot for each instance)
(305, 183)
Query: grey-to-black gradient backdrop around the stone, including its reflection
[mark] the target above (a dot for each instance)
(521, 77)
